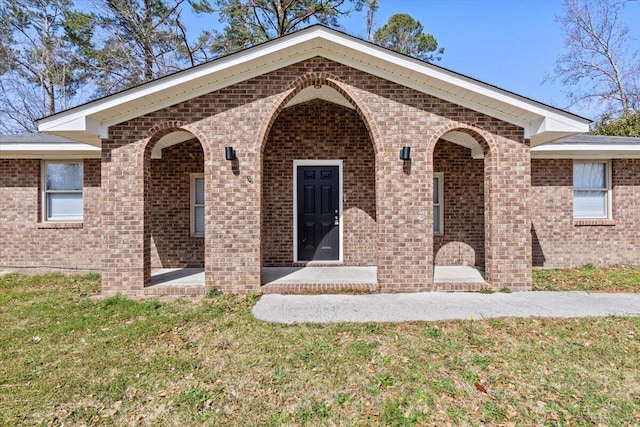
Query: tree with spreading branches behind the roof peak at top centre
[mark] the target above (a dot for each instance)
(249, 22)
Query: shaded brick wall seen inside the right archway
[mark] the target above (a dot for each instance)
(463, 240)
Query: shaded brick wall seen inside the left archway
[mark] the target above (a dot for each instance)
(171, 243)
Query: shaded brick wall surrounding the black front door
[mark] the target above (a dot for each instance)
(319, 130)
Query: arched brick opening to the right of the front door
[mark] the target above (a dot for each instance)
(464, 158)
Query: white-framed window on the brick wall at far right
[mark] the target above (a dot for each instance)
(591, 190)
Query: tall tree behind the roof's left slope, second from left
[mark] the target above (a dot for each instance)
(144, 41)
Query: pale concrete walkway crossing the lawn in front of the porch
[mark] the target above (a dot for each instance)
(441, 306)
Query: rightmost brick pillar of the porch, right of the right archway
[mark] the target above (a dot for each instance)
(507, 215)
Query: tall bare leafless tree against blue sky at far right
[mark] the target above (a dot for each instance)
(599, 66)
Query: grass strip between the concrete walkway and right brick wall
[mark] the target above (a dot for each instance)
(620, 278)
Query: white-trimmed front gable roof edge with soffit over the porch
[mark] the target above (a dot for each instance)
(90, 122)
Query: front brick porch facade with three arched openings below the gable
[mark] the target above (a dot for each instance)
(242, 115)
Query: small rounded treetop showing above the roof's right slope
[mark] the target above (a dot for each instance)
(404, 34)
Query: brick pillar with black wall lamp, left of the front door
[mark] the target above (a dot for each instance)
(233, 217)
